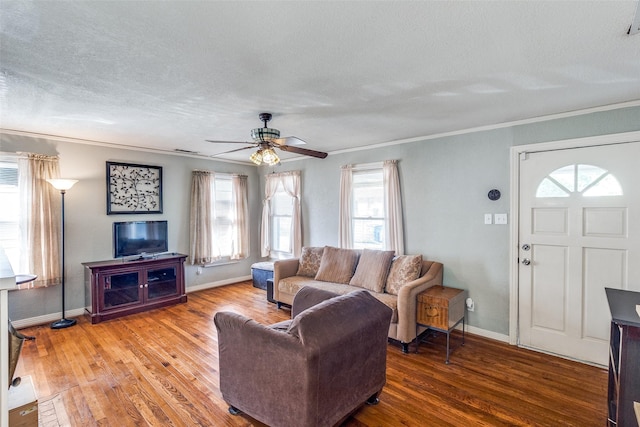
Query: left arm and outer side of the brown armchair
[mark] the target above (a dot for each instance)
(256, 363)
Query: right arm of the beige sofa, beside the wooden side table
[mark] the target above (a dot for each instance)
(407, 329)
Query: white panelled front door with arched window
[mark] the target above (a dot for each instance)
(579, 232)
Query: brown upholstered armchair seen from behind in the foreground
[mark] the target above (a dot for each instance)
(313, 370)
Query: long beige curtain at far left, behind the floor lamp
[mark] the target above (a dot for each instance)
(40, 224)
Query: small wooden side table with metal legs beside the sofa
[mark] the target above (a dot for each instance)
(442, 309)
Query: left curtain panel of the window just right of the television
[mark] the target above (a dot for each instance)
(200, 230)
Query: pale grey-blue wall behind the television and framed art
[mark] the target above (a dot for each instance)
(88, 229)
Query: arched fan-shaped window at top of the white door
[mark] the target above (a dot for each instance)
(587, 180)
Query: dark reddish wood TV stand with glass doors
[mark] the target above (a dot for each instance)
(117, 288)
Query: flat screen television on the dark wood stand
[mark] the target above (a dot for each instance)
(139, 238)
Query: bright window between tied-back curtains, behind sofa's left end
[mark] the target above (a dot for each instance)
(281, 218)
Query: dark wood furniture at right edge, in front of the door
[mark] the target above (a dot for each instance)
(624, 357)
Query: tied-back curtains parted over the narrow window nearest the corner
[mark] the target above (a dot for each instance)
(290, 182)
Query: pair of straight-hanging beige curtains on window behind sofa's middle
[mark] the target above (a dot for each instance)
(394, 229)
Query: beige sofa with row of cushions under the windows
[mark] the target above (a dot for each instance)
(395, 281)
